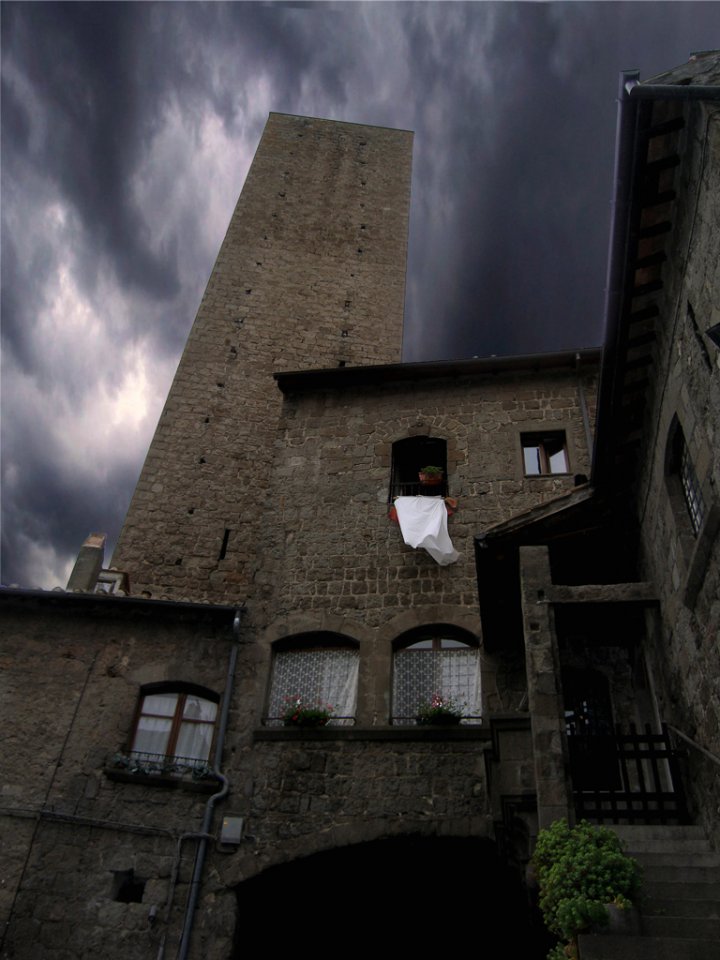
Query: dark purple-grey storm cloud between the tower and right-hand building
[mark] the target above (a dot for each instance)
(520, 265)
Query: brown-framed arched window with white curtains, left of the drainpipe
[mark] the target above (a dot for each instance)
(174, 721)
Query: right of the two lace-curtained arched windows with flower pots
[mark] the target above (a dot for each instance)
(441, 665)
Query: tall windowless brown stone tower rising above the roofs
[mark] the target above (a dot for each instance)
(311, 274)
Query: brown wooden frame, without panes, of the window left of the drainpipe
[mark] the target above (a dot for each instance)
(181, 691)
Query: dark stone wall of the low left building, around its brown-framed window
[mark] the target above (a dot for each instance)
(71, 679)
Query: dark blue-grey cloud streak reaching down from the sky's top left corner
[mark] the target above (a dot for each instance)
(86, 76)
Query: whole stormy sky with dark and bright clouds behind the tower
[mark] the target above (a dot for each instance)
(127, 131)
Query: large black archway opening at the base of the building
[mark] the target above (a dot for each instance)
(409, 894)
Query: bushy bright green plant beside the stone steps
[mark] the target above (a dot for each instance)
(579, 870)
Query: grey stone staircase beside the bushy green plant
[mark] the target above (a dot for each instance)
(680, 905)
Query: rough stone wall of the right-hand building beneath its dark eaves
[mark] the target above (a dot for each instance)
(685, 565)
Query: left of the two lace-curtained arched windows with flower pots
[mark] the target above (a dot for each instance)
(317, 671)
